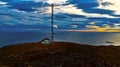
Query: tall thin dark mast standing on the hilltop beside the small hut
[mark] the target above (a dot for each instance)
(52, 22)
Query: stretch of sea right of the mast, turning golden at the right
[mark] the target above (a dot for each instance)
(92, 38)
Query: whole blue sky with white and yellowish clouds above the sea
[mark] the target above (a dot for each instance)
(35, 15)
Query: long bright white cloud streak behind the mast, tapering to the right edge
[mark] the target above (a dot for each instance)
(72, 9)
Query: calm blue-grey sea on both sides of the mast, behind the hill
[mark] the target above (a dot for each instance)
(91, 38)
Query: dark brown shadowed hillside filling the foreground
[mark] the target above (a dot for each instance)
(59, 54)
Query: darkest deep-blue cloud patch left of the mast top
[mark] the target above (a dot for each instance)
(27, 5)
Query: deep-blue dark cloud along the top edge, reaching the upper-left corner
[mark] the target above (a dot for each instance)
(23, 5)
